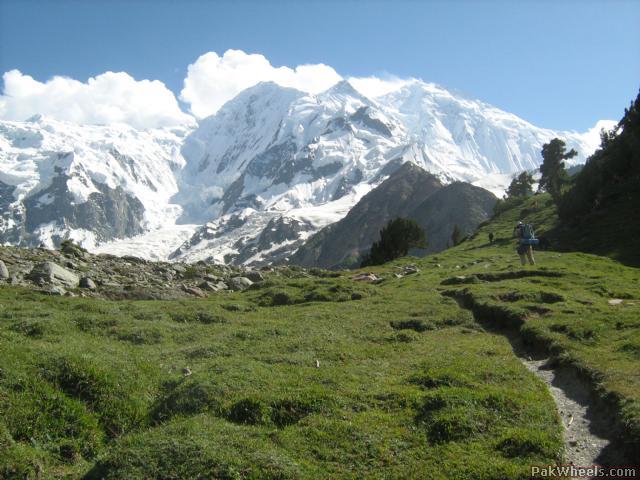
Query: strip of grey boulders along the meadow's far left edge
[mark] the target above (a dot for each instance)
(73, 271)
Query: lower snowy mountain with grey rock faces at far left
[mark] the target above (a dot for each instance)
(91, 183)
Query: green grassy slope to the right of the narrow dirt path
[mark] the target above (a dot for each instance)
(570, 316)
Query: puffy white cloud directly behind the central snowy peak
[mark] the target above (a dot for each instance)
(213, 80)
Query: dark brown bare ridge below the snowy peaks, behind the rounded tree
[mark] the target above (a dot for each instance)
(409, 192)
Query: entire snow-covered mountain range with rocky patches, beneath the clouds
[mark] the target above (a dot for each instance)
(249, 184)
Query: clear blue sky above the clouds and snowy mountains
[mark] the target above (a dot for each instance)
(558, 64)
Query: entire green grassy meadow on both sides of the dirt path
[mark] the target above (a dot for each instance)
(408, 385)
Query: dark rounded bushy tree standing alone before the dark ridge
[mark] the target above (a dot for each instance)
(396, 239)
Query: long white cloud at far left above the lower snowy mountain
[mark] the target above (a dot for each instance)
(107, 98)
